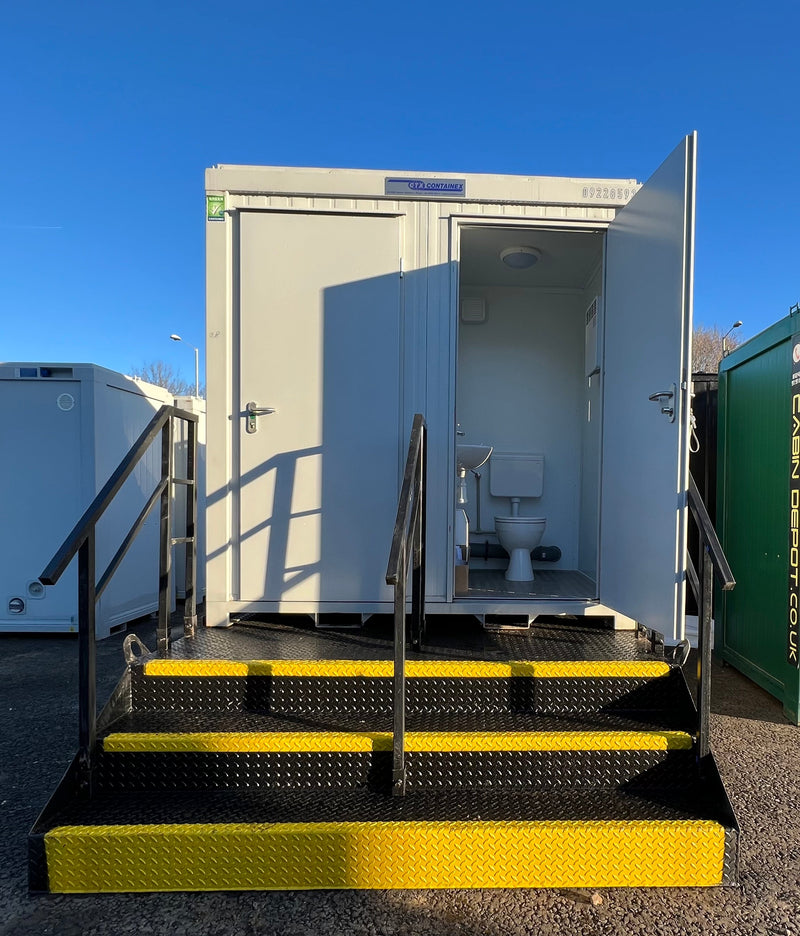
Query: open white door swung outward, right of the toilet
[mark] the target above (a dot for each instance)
(648, 323)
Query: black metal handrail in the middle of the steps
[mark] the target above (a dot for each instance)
(409, 530)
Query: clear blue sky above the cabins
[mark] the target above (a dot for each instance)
(112, 112)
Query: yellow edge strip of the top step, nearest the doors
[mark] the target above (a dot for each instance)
(434, 669)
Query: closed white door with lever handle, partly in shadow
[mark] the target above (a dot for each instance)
(319, 343)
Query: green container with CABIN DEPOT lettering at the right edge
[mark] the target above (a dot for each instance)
(758, 509)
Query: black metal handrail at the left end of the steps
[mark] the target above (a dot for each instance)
(82, 540)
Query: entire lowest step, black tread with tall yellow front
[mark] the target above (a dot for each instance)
(222, 840)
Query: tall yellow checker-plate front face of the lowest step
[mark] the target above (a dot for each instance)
(391, 855)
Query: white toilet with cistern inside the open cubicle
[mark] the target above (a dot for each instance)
(516, 475)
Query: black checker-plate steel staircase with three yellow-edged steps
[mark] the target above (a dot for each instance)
(270, 756)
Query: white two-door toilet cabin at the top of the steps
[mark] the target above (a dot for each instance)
(341, 302)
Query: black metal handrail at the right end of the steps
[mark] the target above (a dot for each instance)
(712, 562)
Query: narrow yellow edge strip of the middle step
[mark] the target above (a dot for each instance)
(352, 742)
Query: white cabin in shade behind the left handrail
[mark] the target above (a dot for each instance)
(65, 428)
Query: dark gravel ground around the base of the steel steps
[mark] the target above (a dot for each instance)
(757, 751)
